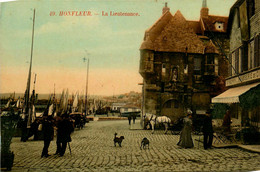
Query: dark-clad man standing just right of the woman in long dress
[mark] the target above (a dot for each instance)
(207, 130)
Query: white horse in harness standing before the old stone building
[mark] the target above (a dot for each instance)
(153, 119)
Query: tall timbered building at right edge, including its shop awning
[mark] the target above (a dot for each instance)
(243, 81)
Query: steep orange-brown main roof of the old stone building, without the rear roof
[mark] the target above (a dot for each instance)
(172, 34)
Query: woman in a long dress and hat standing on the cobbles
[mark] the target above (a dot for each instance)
(185, 135)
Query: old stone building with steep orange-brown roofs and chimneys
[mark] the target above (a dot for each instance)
(181, 63)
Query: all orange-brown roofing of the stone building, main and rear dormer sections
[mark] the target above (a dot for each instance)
(175, 34)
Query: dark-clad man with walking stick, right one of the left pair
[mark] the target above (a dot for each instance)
(65, 128)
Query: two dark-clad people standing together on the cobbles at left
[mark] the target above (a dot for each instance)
(64, 127)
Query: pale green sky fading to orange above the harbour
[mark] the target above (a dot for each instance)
(61, 42)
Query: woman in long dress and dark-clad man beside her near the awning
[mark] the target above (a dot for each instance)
(207, 129)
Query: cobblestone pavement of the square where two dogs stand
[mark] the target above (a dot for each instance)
(93, 150)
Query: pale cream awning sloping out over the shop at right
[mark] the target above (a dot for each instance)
(232, 95)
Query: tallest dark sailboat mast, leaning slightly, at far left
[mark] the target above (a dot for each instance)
(27, 96)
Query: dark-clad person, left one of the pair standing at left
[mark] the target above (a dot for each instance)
(48, 133)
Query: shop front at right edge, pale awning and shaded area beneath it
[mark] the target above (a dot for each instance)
(244, 105)
